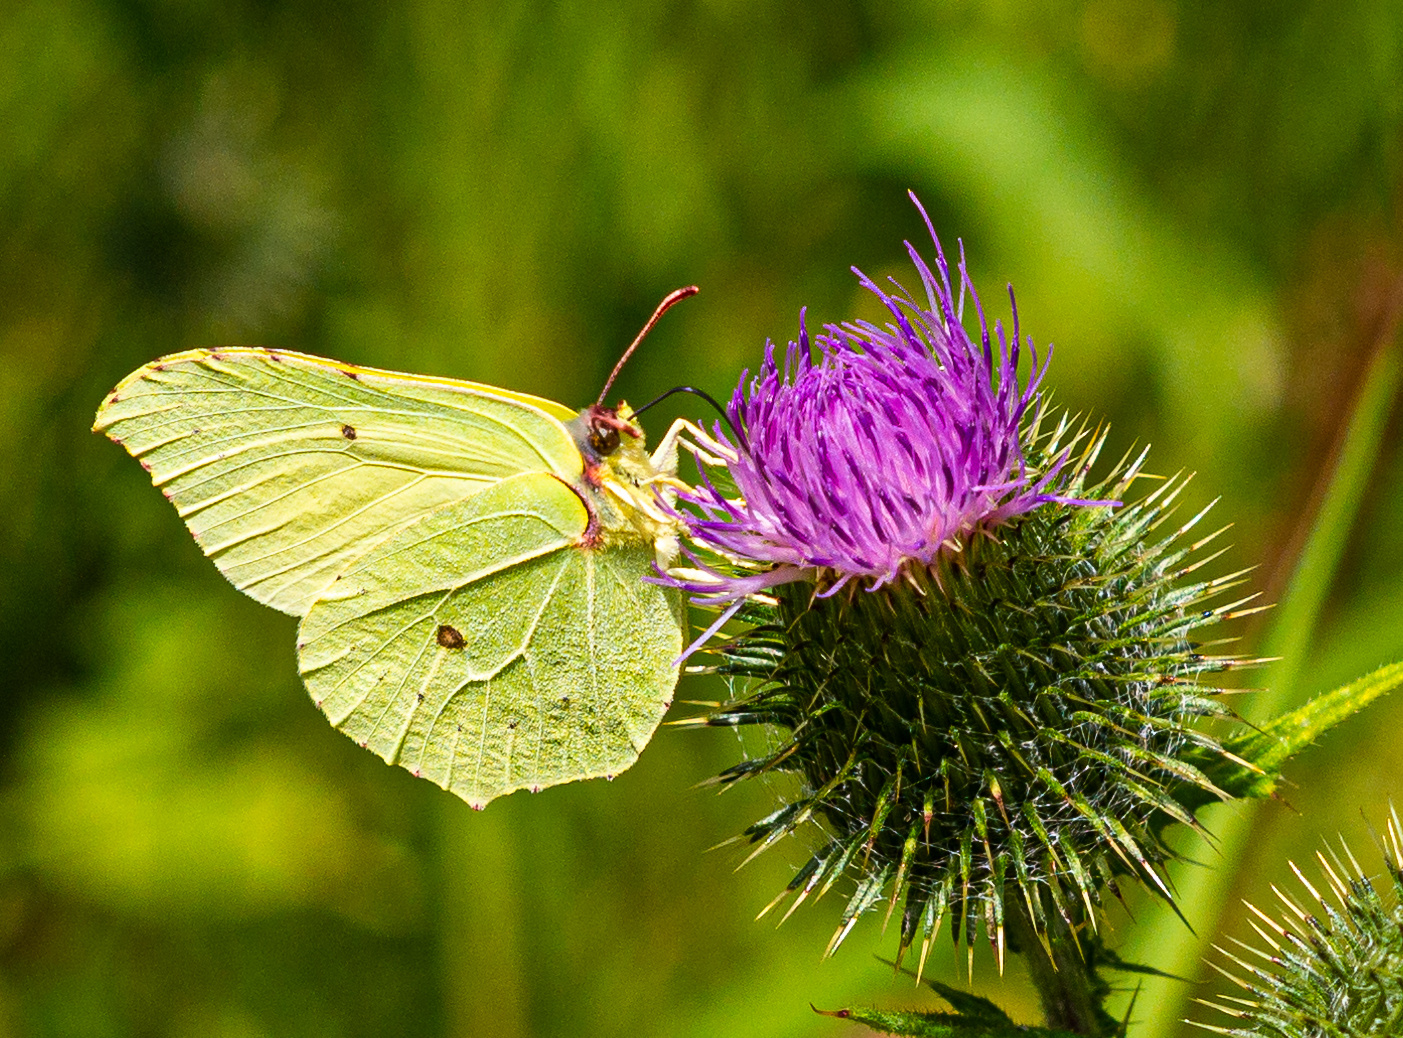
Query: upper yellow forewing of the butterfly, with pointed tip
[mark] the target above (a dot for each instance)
(290, 468)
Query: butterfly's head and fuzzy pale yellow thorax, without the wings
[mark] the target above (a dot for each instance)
(624, 487)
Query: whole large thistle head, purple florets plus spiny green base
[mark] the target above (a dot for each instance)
(977, 666)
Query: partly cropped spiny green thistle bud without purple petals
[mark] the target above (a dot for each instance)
(1331, 967)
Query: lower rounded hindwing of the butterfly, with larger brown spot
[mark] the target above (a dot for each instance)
(485, 647)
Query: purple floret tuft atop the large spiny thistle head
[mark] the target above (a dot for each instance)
(889, 450)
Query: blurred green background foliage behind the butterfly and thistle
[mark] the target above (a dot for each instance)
(1199, 203)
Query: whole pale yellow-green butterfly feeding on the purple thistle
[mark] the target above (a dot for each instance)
(468, 563)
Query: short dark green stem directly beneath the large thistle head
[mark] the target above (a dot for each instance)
(1068, 987)
